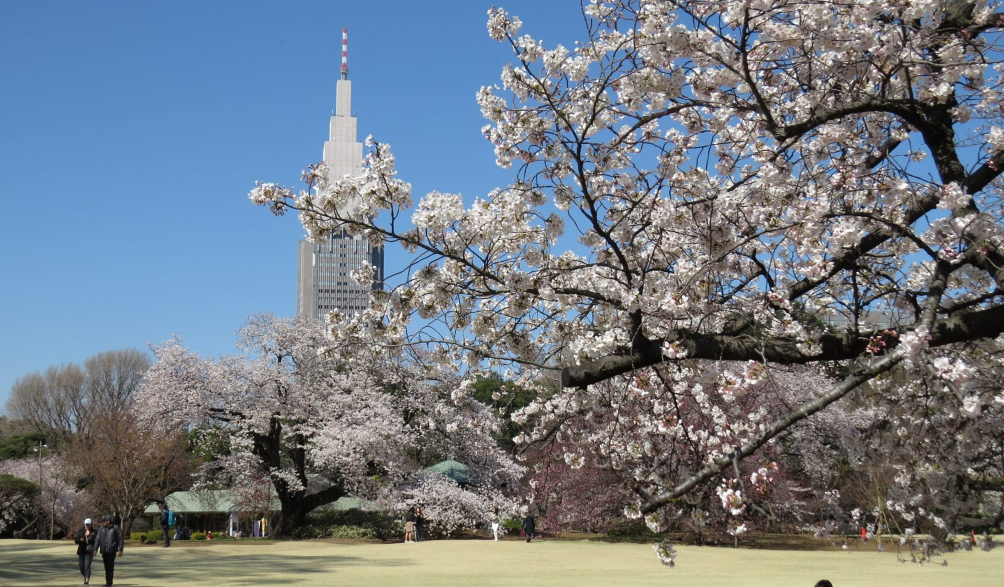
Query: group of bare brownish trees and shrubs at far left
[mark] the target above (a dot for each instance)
(72, 448)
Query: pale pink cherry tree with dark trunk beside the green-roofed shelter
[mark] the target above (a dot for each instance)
(316, 429)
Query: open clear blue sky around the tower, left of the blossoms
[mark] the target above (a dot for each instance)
(131, 134)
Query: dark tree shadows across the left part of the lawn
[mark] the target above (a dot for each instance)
(27, 564)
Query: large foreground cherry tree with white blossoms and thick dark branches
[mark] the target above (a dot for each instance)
(751, 185)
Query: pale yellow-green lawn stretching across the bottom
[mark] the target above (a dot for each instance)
(478, 562)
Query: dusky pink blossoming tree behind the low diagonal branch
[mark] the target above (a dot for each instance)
(613, 438)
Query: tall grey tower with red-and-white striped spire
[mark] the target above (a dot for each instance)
(325, 276)
